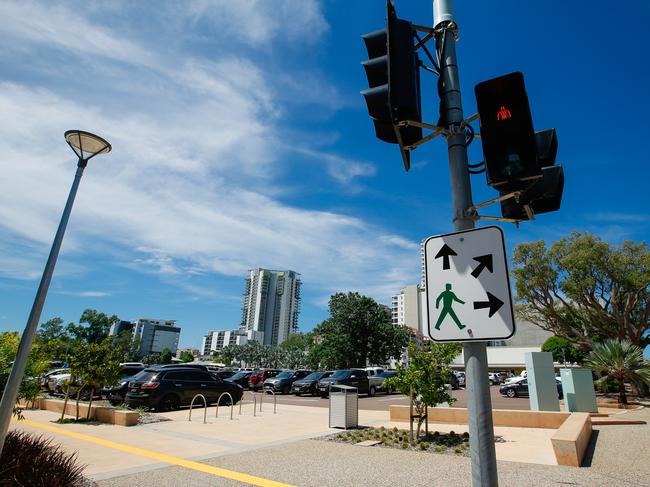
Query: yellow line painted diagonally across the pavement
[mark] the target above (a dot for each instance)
(162, 457)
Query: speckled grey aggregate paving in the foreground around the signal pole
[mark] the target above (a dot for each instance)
(620, 458)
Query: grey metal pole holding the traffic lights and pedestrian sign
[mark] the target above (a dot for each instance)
(479, 403)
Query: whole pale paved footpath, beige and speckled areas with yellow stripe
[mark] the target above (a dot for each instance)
(273, 450)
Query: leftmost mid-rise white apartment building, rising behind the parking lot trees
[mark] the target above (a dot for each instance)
(155, 334)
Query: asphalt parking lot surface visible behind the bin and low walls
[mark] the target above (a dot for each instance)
(382, 401)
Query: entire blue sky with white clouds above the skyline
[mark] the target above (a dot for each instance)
(240, 140)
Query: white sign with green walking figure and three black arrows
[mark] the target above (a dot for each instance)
(468, 290)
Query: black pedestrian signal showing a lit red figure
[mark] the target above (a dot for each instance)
(507, 134)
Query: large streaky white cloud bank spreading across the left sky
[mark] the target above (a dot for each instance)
(189, 188)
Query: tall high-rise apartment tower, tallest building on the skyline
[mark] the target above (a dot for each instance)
(271, 305)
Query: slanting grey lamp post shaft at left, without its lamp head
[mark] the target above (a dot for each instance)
(18, 368)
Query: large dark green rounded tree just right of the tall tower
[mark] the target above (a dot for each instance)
(358, 332)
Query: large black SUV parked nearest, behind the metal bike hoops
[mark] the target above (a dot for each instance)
(167, 389)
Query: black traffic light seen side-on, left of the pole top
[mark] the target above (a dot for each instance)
(393, 76)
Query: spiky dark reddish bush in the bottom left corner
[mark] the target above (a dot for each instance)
(32, 460)
